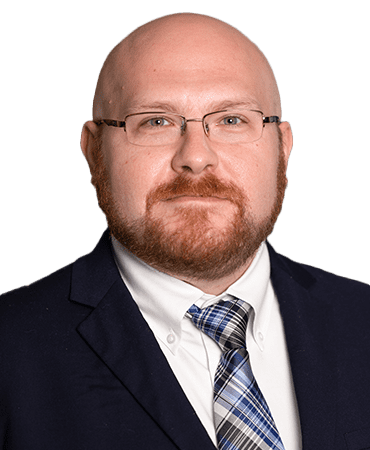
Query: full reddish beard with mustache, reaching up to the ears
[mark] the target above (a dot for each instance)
(195, 248)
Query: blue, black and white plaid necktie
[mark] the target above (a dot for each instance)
(242, 418)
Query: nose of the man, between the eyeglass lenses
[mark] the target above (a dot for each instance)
(194, 153)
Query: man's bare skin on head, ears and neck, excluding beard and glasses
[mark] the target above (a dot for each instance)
(189, 64)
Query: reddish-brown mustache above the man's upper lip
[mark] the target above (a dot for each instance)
(208, 186)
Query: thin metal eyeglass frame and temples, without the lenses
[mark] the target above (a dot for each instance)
(122, 123)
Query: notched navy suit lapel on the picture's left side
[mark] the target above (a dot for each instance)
(118, 333)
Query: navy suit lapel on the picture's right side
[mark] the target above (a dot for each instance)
(309, 336)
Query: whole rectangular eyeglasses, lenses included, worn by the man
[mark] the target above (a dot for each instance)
(154, 129)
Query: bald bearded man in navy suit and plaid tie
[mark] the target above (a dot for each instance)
(188, 156)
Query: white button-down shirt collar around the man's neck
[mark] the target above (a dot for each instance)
(163, 300)
